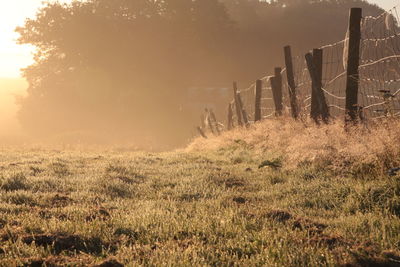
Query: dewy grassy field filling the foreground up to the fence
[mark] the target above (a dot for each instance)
(229, 201)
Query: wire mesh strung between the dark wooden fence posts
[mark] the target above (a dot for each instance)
(378, 80)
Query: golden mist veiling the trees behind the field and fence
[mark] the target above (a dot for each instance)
(141, 72)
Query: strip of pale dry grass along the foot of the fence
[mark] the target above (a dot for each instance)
(361, 149)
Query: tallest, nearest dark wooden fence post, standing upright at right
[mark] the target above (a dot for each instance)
(353, 62)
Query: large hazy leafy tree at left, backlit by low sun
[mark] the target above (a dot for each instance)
(118, 64)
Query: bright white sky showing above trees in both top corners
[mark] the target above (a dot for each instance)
(13, 57)
